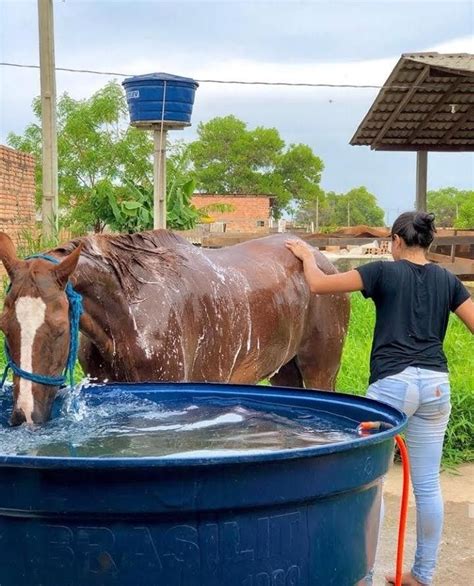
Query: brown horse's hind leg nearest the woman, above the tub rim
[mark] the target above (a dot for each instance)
(319, 355)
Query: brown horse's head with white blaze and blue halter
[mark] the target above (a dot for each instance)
(35, 321)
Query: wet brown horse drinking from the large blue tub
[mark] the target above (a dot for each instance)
(158, 308)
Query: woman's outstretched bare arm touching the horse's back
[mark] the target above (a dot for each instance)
(317, 280)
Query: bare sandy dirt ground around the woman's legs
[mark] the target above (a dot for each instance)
(456, 561)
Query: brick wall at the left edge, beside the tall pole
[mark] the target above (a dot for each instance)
(17, 192)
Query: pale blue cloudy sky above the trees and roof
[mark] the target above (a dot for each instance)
(330, 41)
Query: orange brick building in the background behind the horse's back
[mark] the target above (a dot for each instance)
(251, 213)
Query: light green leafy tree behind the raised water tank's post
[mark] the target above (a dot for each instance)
(106, 170)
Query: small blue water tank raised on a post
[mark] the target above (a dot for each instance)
(160, 96)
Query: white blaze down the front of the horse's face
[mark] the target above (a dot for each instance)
(30, 313)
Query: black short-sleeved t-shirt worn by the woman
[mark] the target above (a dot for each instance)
(412, 310)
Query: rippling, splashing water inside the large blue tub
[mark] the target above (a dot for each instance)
(122, 424)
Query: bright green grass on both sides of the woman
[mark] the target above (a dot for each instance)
(459, 347)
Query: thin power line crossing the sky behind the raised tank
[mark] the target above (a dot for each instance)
(224, 81)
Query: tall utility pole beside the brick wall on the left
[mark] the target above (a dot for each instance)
(48, 118)
